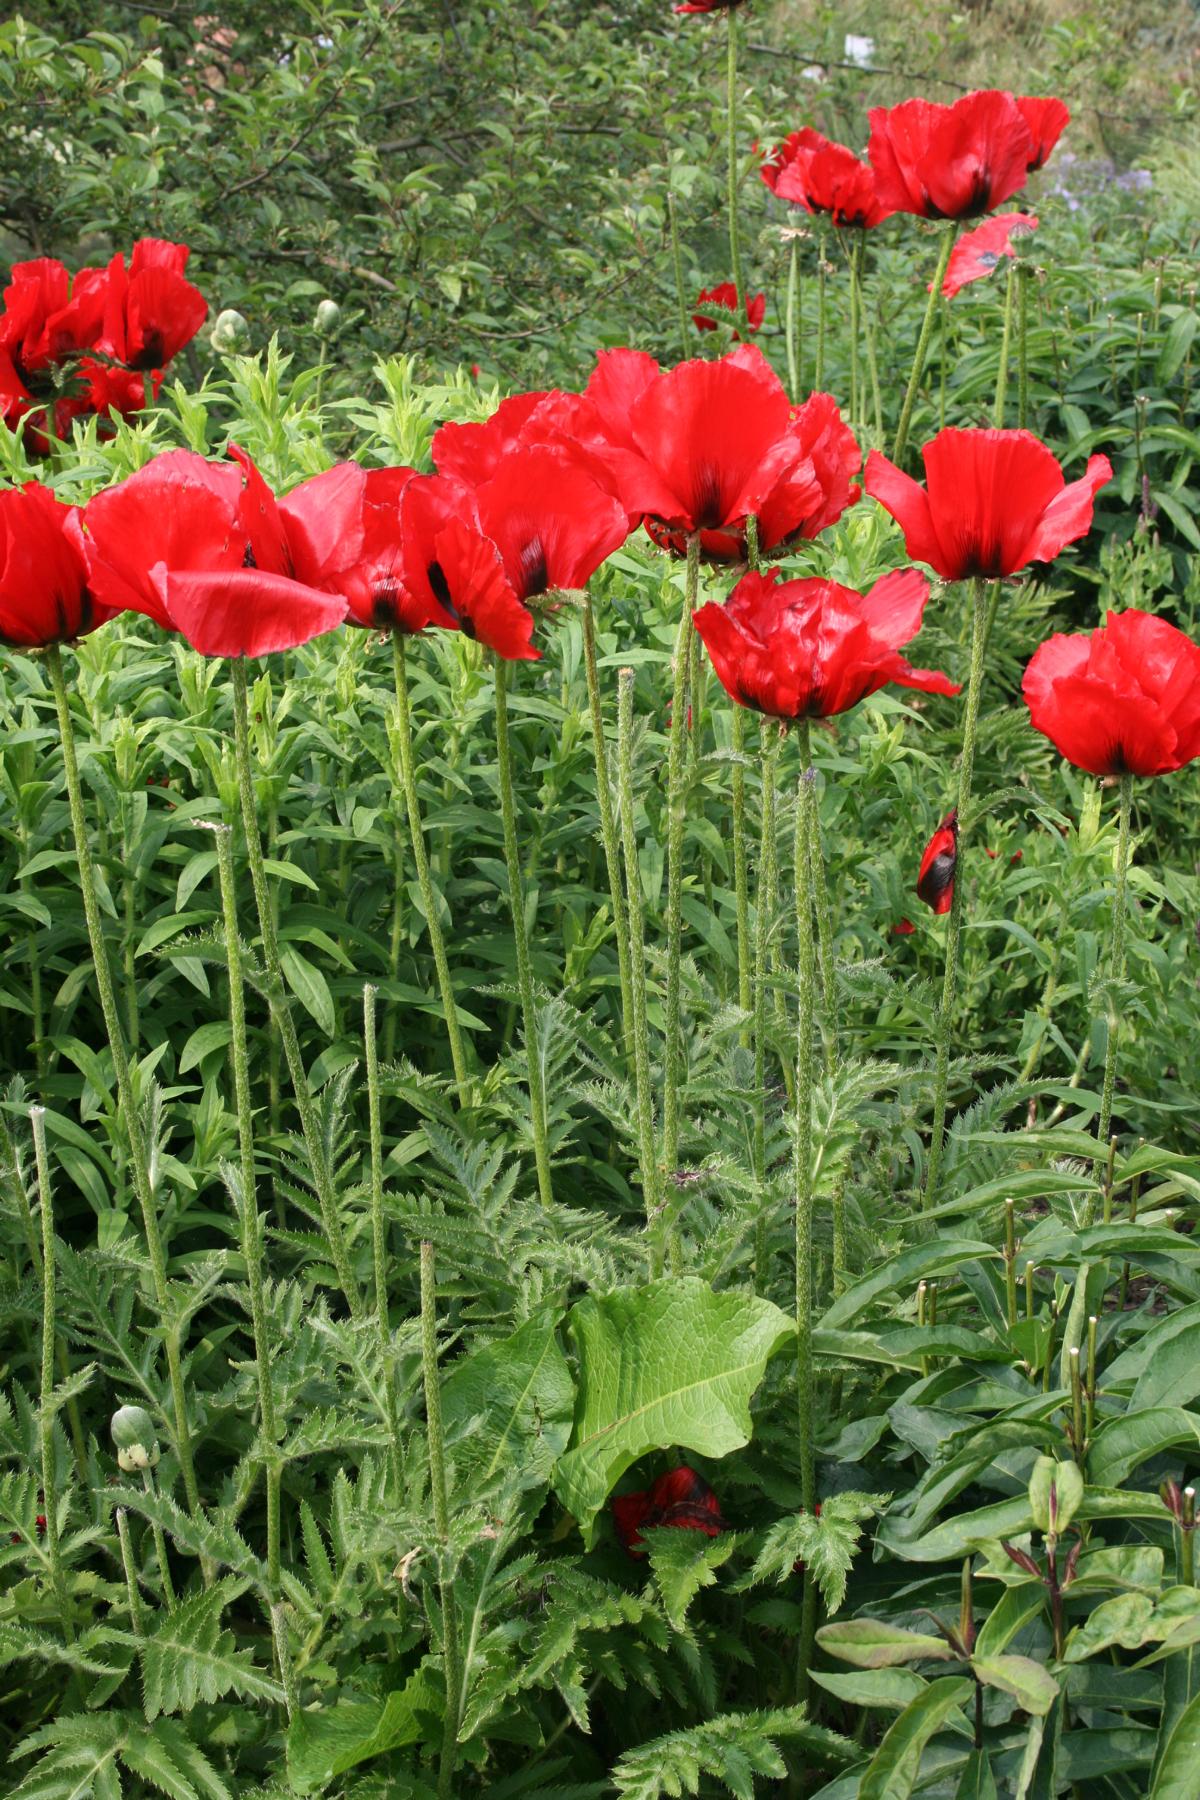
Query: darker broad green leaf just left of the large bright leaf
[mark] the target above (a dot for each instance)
(508, 1408)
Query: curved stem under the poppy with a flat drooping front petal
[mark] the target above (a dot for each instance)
(278, 998)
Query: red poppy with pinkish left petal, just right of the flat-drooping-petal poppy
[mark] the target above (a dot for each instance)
(345, 539)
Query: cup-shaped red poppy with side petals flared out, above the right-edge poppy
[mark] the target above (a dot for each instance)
(994, 503)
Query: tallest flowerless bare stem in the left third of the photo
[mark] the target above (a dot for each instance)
(247, 1198)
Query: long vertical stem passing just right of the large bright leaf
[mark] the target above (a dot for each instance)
(805, 804)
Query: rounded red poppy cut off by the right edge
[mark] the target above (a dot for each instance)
(1120, 701)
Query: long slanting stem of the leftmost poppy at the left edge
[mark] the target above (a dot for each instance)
(139, 1162)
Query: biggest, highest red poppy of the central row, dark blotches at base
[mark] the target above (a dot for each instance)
(706, 445)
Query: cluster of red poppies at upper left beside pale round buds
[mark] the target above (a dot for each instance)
(96, 343)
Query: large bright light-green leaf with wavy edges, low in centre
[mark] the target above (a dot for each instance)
(668, 1365)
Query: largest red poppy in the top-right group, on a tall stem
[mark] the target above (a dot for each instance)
(951, 163)
